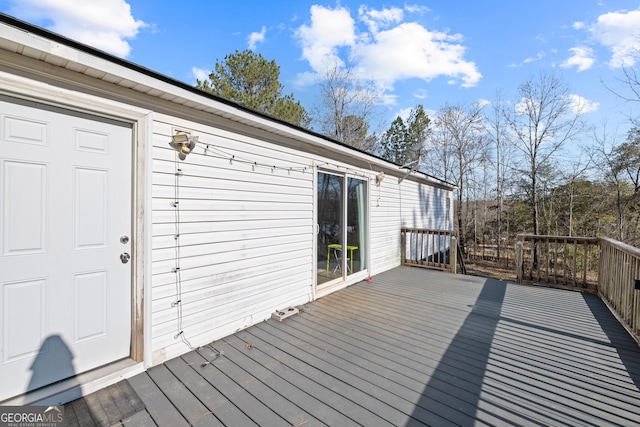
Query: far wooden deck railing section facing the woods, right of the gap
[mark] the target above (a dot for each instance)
(558, 260)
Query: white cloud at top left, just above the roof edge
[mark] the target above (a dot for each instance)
(105, 25)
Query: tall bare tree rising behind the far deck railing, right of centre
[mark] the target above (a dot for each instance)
(545, 117)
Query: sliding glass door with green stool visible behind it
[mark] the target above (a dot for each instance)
(342, 226)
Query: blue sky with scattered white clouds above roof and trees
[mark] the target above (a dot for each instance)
(423, 52)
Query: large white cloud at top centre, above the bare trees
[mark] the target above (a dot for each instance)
(386, 49)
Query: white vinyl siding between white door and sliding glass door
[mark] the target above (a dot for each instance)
(245, 236)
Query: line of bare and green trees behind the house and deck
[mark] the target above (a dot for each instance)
(529, 164)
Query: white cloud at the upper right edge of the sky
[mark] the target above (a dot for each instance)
(620, 32)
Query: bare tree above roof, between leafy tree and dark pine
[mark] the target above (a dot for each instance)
(346, 107)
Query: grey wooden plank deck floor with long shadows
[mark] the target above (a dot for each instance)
(413, 347)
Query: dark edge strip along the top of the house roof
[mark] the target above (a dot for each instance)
(42, 32)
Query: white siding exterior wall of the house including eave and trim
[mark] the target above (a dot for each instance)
(241, 240)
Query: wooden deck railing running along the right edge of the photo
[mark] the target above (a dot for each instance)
(619, 281)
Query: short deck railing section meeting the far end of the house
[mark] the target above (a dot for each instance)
(429, 248)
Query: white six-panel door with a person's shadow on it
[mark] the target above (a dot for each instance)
(65, 218)
